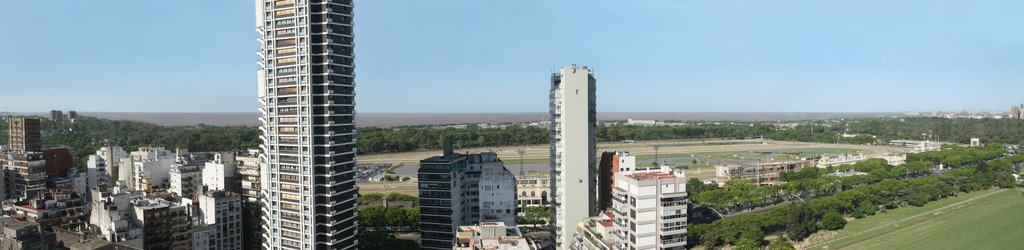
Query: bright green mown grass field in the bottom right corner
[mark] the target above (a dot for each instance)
(993, 221)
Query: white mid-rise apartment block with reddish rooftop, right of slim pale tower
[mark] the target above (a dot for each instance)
(651, 210)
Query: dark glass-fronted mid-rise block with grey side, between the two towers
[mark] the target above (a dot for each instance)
(462, 190)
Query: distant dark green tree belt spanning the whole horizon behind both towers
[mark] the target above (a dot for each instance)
(89, 134)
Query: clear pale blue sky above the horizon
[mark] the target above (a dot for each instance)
(476, 56)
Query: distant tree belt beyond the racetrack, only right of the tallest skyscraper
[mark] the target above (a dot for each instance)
(882, 131)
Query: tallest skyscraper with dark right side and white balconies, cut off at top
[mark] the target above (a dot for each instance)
(307, 92)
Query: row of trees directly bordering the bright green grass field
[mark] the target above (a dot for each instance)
(862, 200)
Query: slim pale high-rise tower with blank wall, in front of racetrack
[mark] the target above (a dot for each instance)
(574, 116)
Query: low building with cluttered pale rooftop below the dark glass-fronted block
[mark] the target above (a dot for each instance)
(490, 236)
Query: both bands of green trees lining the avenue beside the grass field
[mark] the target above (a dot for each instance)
(856, 196)
